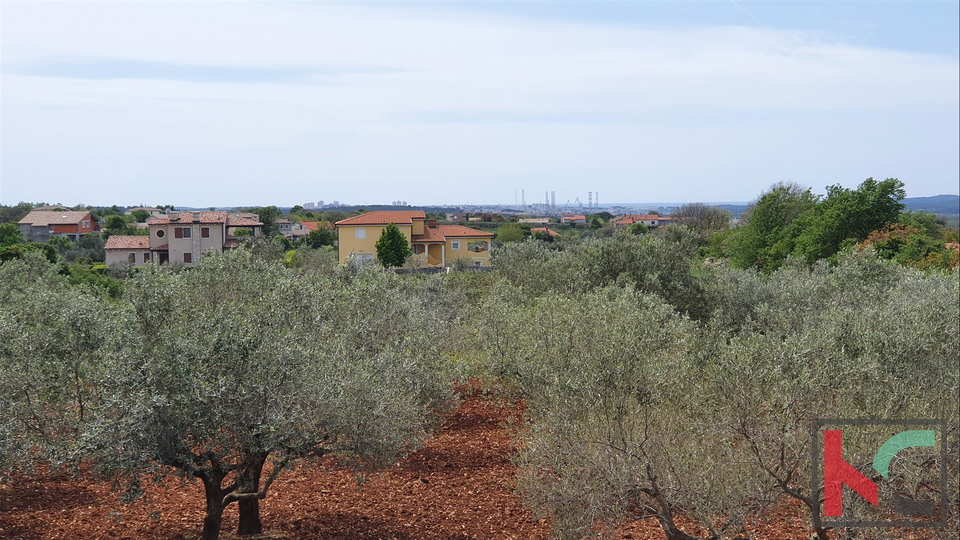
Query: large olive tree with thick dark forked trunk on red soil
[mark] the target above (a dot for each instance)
(238, 367)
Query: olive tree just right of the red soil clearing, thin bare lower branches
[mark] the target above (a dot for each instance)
(609, 429)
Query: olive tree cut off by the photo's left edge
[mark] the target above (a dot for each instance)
(53, 339)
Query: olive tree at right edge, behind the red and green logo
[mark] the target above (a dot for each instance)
(867, 339)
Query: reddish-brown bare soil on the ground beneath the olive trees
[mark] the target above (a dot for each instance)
(457, 486)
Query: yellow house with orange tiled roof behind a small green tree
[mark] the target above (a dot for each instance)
(432, 244)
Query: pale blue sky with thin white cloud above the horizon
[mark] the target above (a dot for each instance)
(229, 103)
